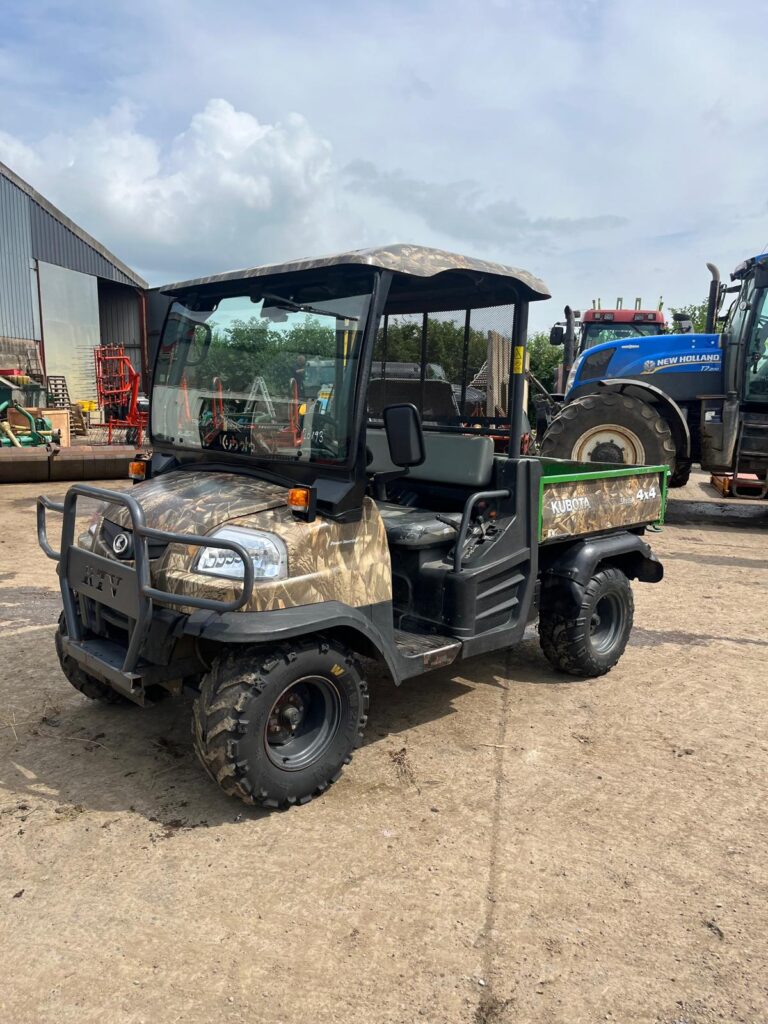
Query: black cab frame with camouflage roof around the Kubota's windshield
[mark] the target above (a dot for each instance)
(434, 302)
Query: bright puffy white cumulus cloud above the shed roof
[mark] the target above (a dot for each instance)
(227, 192)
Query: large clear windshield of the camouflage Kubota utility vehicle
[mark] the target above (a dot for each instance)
(271, 374)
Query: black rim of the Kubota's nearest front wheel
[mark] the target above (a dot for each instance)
(304, 723)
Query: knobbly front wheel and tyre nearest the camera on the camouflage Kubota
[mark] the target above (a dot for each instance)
(276, 728)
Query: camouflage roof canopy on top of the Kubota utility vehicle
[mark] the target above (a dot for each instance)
(464, 282)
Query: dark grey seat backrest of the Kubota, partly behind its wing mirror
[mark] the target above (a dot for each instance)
(456, 459)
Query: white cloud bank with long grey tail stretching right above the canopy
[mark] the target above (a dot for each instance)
(231, 191)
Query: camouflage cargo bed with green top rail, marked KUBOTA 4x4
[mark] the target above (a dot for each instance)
(575, 499)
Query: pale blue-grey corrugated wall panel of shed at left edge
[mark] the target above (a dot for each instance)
(18, 319)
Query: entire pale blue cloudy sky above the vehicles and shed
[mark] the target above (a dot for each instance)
(609, 147)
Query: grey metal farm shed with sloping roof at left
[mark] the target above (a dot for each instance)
(62, 292)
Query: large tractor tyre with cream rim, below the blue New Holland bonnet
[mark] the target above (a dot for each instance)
(611, 428)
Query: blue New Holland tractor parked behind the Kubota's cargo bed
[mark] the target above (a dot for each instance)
(677, 399)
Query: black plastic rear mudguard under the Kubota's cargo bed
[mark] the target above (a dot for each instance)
(576, 566)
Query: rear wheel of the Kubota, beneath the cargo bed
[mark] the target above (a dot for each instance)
(587, 639)
